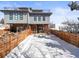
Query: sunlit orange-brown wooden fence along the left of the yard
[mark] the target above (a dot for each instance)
(9, 40)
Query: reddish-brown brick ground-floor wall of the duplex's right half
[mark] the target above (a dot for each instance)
(39, 28)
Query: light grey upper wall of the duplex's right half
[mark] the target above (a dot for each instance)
(31, 20)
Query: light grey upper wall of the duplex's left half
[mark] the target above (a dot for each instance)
(7, 20)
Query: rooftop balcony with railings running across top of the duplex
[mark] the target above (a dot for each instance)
(27, 9)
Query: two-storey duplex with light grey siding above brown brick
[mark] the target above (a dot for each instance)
(22, 17)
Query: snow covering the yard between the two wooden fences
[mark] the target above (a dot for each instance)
(43, 46)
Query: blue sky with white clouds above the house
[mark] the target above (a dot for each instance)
(60, 10)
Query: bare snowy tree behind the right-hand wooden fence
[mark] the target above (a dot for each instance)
(70, 26)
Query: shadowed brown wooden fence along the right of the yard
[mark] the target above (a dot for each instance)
(68, 37)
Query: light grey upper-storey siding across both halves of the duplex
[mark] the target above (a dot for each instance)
(26, 19)
